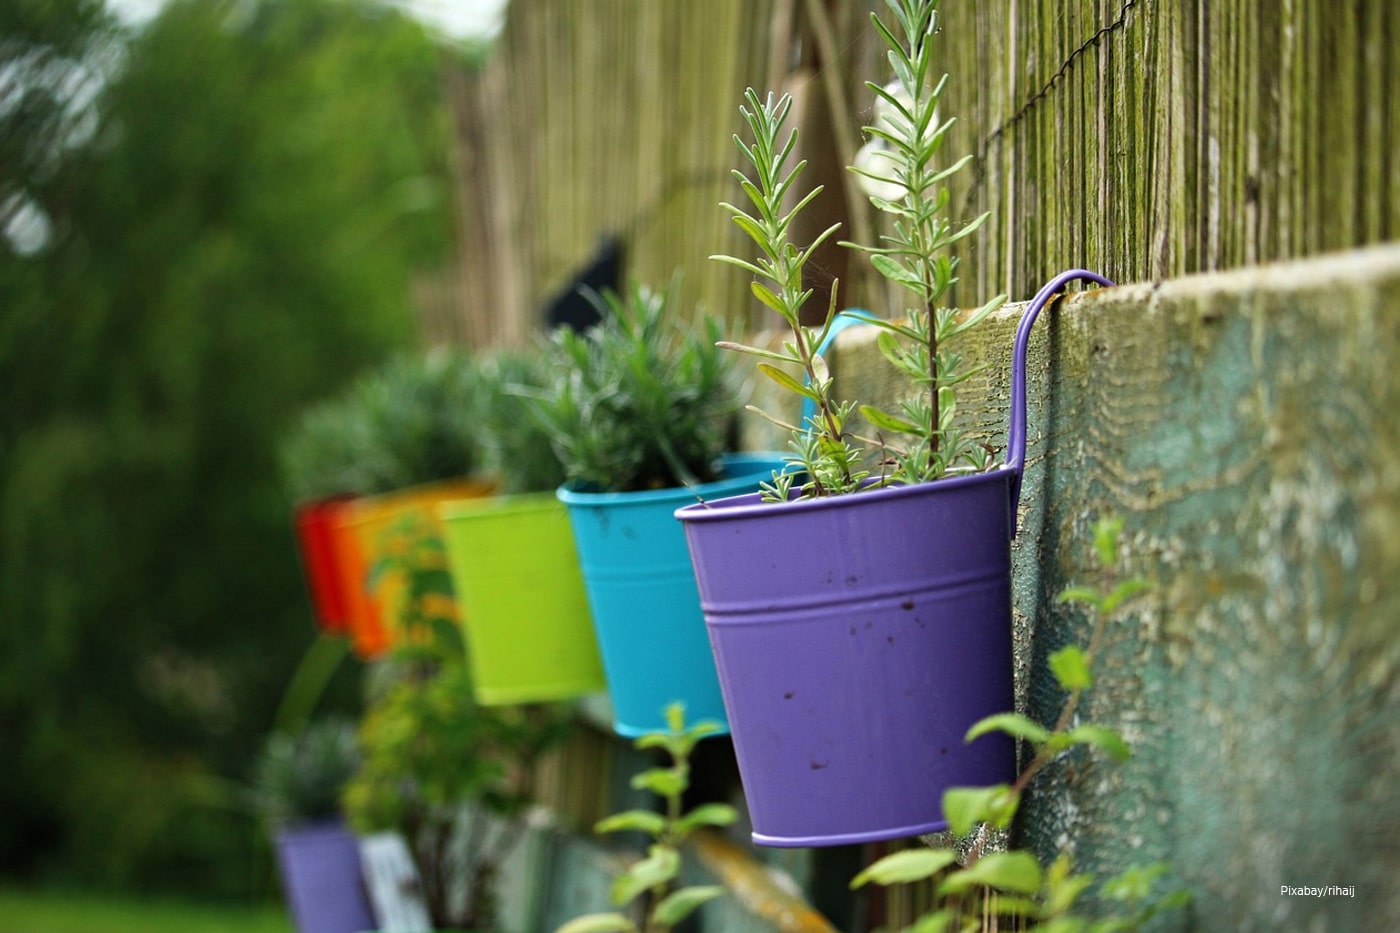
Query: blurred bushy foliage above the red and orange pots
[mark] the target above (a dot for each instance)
(414, 421)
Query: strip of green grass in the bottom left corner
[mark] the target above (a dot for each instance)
(43, 911)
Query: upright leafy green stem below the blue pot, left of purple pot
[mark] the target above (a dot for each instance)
(653, 878)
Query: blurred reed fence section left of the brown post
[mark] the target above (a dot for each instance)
(598, 121)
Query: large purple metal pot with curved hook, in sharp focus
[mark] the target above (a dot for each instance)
(857, 640)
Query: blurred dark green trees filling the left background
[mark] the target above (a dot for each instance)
(208, 225)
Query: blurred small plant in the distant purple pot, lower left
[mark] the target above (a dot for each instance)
(299, 778)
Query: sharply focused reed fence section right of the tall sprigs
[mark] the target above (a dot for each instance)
(1161, 138)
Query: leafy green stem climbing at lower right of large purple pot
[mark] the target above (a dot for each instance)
(1014, 883)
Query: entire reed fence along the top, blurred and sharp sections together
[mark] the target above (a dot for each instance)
(1142, 138)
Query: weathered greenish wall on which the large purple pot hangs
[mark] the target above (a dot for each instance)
(1245, 427)
